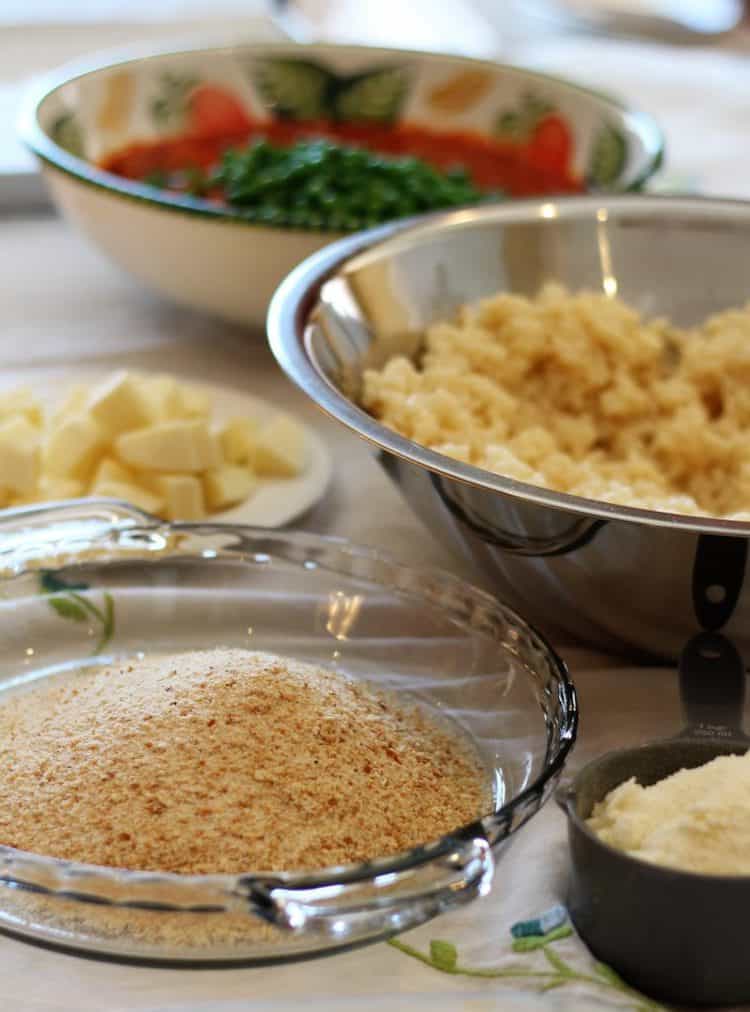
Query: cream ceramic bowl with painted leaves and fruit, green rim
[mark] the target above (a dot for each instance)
(209, 258)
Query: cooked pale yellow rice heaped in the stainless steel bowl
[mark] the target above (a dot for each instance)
(579, 394)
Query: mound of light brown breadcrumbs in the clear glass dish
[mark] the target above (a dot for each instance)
(227, 762)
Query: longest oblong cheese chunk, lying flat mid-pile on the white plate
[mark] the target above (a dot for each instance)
(176, 446)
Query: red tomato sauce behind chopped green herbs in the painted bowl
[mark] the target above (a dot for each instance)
(538, 165)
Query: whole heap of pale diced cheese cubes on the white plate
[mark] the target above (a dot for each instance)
(143, 439)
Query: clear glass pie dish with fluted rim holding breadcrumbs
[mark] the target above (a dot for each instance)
(95, 582)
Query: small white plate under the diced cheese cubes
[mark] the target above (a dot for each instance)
(275, 502)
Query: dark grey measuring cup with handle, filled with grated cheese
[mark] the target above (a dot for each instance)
(678, 936)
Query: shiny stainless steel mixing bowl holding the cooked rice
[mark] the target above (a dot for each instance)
(614, 576)
